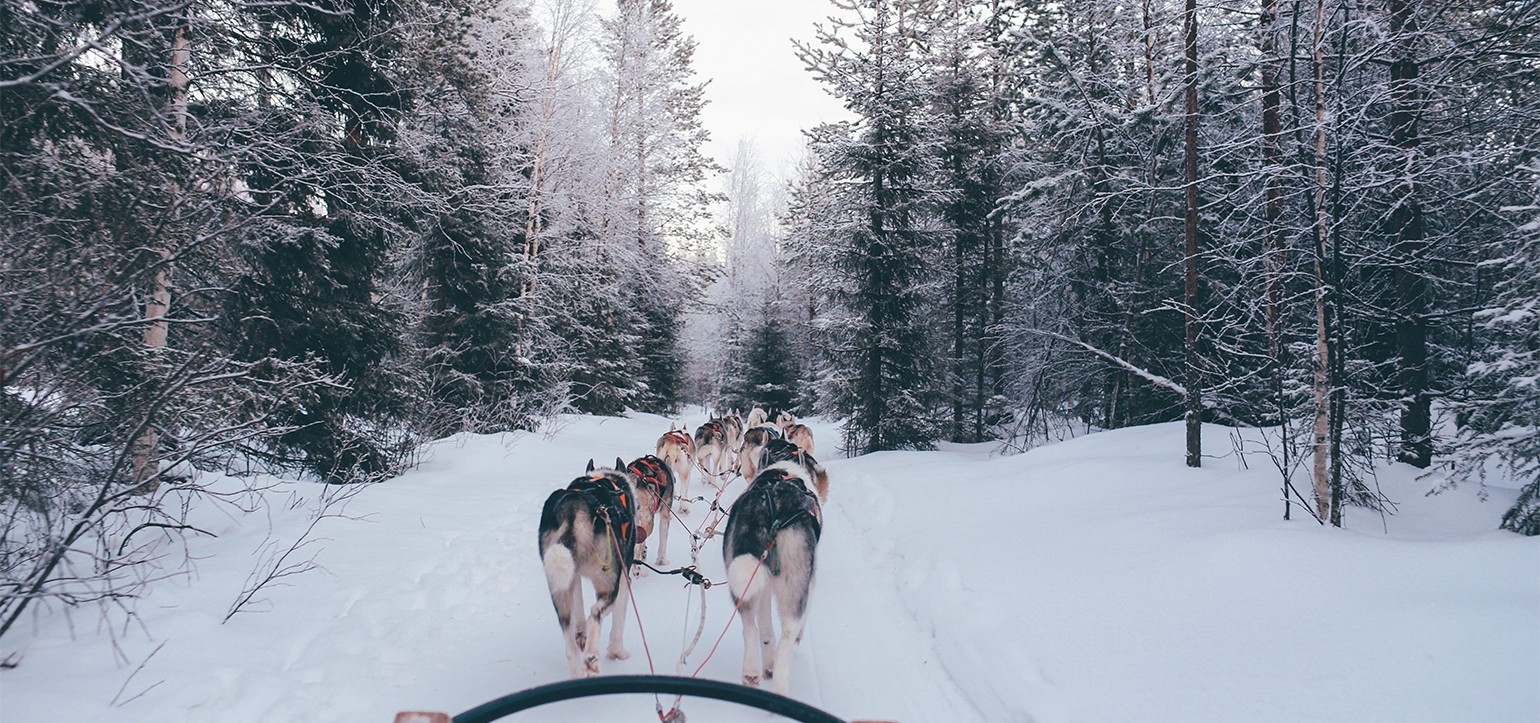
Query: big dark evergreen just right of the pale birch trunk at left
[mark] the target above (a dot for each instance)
(315, 286)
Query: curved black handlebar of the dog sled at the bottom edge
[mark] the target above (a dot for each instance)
(618, 685)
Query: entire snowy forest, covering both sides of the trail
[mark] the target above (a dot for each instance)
(313, 237)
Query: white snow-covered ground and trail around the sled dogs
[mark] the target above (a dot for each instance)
(1094, 580)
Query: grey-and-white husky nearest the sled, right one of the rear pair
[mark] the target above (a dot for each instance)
(769, 548)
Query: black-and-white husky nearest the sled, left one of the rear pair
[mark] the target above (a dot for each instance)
(588, 533)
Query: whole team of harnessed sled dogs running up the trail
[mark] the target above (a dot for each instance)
(598, 528)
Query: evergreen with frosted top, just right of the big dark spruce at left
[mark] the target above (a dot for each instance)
(463, 147)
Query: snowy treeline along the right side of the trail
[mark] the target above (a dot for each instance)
(999, 246)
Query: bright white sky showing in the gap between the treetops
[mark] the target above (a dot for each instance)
(758, 87)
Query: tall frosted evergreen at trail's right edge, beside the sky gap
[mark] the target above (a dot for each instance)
(882, 349)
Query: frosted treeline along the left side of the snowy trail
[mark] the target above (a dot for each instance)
(309, 237)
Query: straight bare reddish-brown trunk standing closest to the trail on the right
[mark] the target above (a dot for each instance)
(1191, 237)
